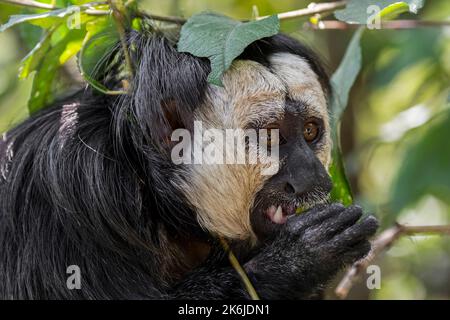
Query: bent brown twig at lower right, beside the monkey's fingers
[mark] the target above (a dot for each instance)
(382, 242)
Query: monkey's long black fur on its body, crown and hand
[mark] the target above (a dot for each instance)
(94, 193)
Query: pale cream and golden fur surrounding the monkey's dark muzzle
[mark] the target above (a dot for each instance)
(252, 94)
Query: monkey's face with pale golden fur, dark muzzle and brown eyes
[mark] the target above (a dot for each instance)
(239, 201)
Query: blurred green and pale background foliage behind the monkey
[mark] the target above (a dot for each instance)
(395, 132)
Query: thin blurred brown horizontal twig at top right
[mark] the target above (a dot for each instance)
(394, 24)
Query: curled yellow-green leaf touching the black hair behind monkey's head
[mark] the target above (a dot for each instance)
(100, 40)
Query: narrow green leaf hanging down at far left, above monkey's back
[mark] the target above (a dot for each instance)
(41, 92)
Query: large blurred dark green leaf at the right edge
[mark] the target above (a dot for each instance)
(425, 166)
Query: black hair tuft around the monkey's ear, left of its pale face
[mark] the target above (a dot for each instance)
(167, 88)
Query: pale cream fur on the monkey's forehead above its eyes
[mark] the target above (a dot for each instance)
(255, 93)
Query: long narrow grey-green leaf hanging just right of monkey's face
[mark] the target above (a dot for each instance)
(341, 83)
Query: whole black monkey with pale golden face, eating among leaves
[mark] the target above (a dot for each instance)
(90, 182)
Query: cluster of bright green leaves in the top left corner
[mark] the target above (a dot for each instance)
(61, 39)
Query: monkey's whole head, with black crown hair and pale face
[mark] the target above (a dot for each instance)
(276, 83)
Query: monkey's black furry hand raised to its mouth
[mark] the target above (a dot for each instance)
(309, 251)
